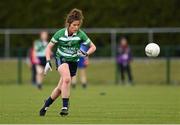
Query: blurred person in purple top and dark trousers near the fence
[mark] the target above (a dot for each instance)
(124, 58)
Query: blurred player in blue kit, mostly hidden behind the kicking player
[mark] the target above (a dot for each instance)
(82, 65)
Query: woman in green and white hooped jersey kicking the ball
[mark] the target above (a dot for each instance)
(68, 52)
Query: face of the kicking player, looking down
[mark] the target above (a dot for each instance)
(74, 26)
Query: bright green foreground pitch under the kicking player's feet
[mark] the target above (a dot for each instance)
(97, 104)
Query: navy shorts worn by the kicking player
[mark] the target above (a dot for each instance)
(72, 65)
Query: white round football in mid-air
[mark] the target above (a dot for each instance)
(152, 50)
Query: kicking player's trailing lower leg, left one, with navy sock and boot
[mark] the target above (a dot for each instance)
(54, 95)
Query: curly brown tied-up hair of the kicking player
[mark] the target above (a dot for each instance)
(74, 15)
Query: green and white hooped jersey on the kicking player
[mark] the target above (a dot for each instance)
(67, 46)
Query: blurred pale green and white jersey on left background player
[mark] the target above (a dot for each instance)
(40, 47)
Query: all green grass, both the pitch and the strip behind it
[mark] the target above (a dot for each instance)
(102, 102)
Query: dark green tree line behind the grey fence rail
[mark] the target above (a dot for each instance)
(97, 13)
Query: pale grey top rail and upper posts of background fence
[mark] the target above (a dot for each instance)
(112, 31)
